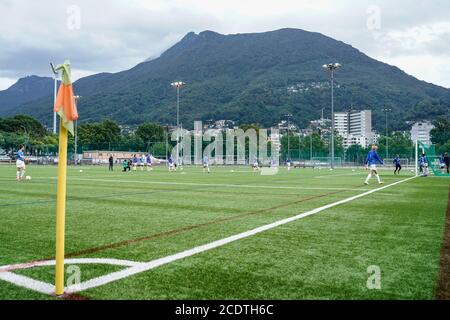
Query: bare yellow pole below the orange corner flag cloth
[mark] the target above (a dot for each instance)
(61, 210)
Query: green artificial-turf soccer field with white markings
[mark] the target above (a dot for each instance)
(155, 225)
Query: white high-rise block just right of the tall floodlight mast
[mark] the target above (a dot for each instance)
(355, 127)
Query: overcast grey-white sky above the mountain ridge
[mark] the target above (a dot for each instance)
(113, 35)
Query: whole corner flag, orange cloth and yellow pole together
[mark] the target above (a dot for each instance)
(65, 107)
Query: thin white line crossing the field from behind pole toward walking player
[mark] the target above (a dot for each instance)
(212, 184)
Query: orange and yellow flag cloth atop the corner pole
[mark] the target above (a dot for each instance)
(65, 101)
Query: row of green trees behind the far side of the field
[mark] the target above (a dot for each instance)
(152, 137)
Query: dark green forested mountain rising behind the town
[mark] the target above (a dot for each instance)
(251, 78)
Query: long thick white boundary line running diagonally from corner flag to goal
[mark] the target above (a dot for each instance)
(145, 266)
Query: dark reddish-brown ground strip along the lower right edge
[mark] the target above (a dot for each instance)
(443, 285)
